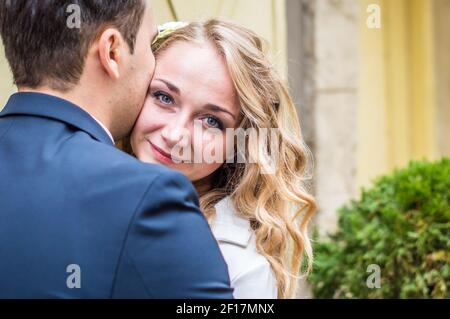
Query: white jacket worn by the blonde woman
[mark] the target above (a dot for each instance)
(250, 273)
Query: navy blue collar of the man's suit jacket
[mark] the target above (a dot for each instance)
(52, 107)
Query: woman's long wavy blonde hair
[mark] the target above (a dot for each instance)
(277, 205)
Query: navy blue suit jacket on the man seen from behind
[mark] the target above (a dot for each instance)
(81, 219)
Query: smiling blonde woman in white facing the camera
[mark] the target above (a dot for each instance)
(212, 77)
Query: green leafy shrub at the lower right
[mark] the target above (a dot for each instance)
(401, 224)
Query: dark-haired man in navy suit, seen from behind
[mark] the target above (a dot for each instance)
(79, 218)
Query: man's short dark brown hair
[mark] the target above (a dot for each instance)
(43, 49)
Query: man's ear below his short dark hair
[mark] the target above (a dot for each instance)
(111, 49)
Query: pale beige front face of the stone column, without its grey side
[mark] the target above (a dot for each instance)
(337, 64)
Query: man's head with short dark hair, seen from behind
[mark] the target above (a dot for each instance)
(87, 47)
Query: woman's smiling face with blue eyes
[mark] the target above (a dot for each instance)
(190, 104)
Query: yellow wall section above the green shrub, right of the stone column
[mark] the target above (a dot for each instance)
(396, 103)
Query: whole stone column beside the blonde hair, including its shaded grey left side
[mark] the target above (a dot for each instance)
(323, 62)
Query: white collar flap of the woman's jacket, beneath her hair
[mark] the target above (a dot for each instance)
(228, 226)
